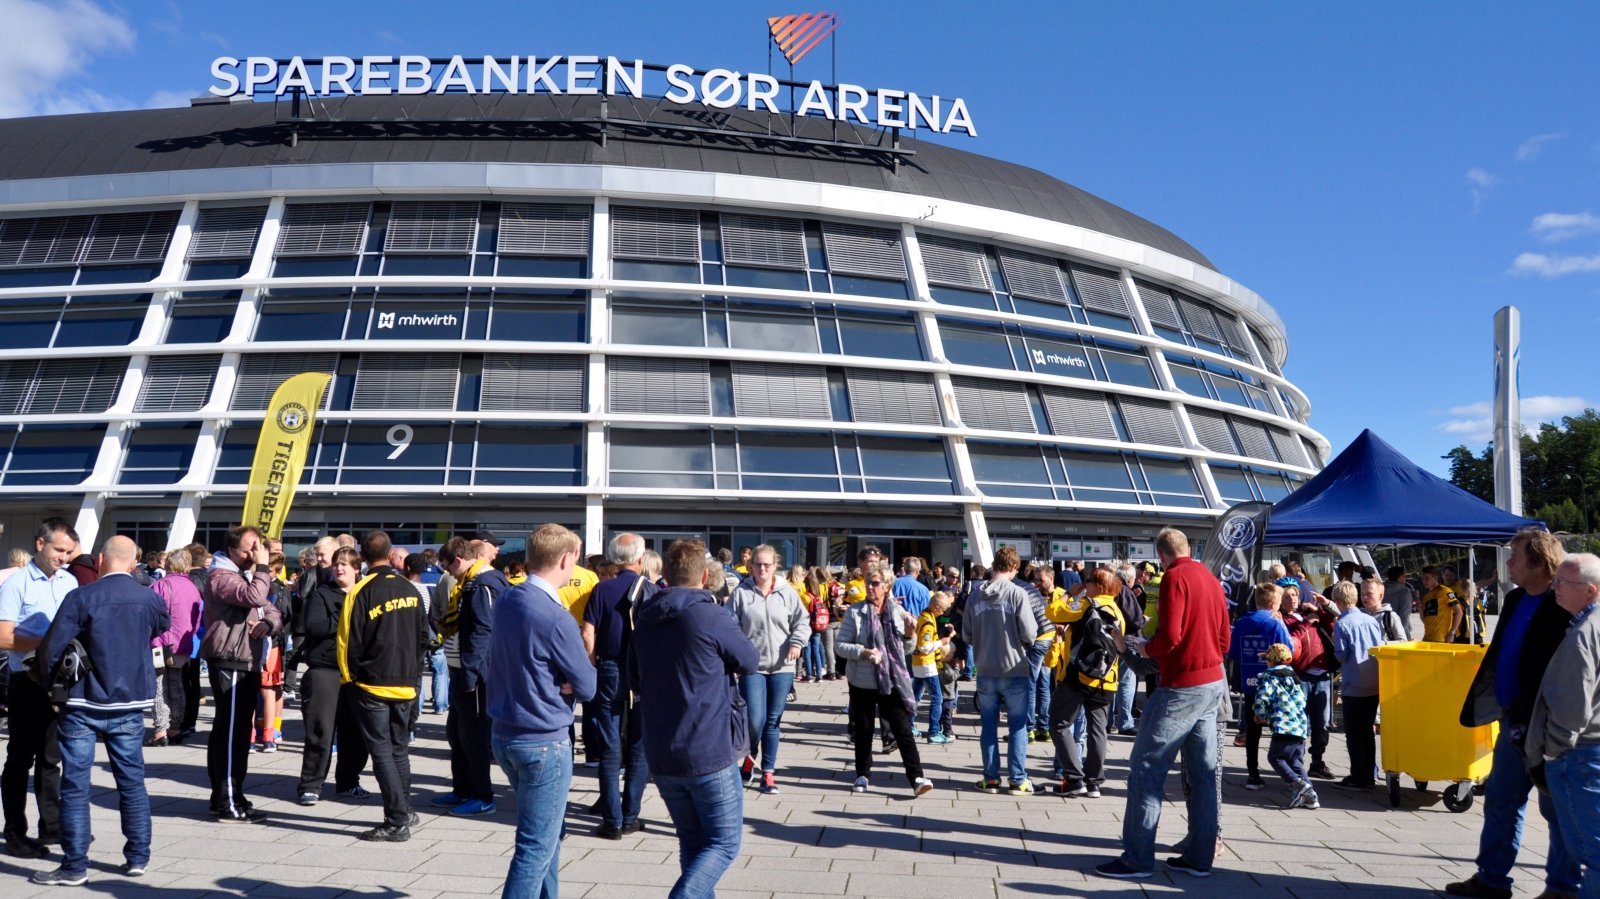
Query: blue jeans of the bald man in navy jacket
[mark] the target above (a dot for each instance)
(124, 735)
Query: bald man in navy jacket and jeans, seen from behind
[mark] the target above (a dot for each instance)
(114, 620)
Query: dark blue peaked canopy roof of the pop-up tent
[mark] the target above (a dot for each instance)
(1374, 495)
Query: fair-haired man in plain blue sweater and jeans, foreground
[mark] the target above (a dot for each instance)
(540, 669)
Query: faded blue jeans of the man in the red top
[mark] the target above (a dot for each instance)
(1174, 719)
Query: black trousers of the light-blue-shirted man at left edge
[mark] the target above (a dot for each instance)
(33, 749)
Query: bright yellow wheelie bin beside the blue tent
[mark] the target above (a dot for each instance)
(1420, 693)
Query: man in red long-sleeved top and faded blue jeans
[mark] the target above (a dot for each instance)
(1191, 639)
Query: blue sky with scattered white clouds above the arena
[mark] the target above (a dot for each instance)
(1386, 175)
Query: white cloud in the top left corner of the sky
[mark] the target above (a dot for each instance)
(46, 46)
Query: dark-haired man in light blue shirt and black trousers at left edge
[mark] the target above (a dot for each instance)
(28, 604)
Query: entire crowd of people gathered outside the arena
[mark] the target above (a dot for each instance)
(676, 671)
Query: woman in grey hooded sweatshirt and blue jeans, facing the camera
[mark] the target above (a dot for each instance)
(772, 615)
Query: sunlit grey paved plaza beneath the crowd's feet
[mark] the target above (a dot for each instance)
(815, 839)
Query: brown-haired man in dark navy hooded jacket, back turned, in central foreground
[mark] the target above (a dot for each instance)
(686, 655)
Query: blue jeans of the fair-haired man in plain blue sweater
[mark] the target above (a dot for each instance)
(540, 773)
